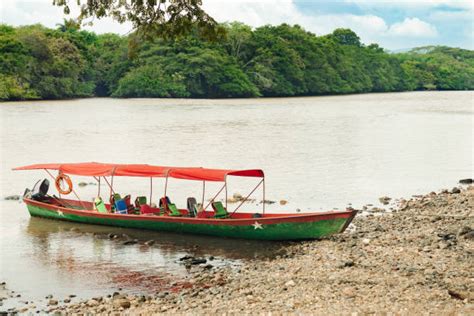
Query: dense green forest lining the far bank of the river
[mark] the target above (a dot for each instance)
(41, 63)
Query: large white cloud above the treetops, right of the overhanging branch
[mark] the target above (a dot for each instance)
(371, 28)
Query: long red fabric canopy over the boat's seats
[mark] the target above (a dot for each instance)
(141, 170)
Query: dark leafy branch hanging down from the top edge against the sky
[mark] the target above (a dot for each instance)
(167, 18)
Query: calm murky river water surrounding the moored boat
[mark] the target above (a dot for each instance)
(317, 152)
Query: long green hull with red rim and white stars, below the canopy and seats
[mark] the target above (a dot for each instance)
(290, 227)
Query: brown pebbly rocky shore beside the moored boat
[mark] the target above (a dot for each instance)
(416, 258)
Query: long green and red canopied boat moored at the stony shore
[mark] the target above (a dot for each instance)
(211, 217)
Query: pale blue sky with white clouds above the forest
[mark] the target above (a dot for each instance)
(395, 25)
